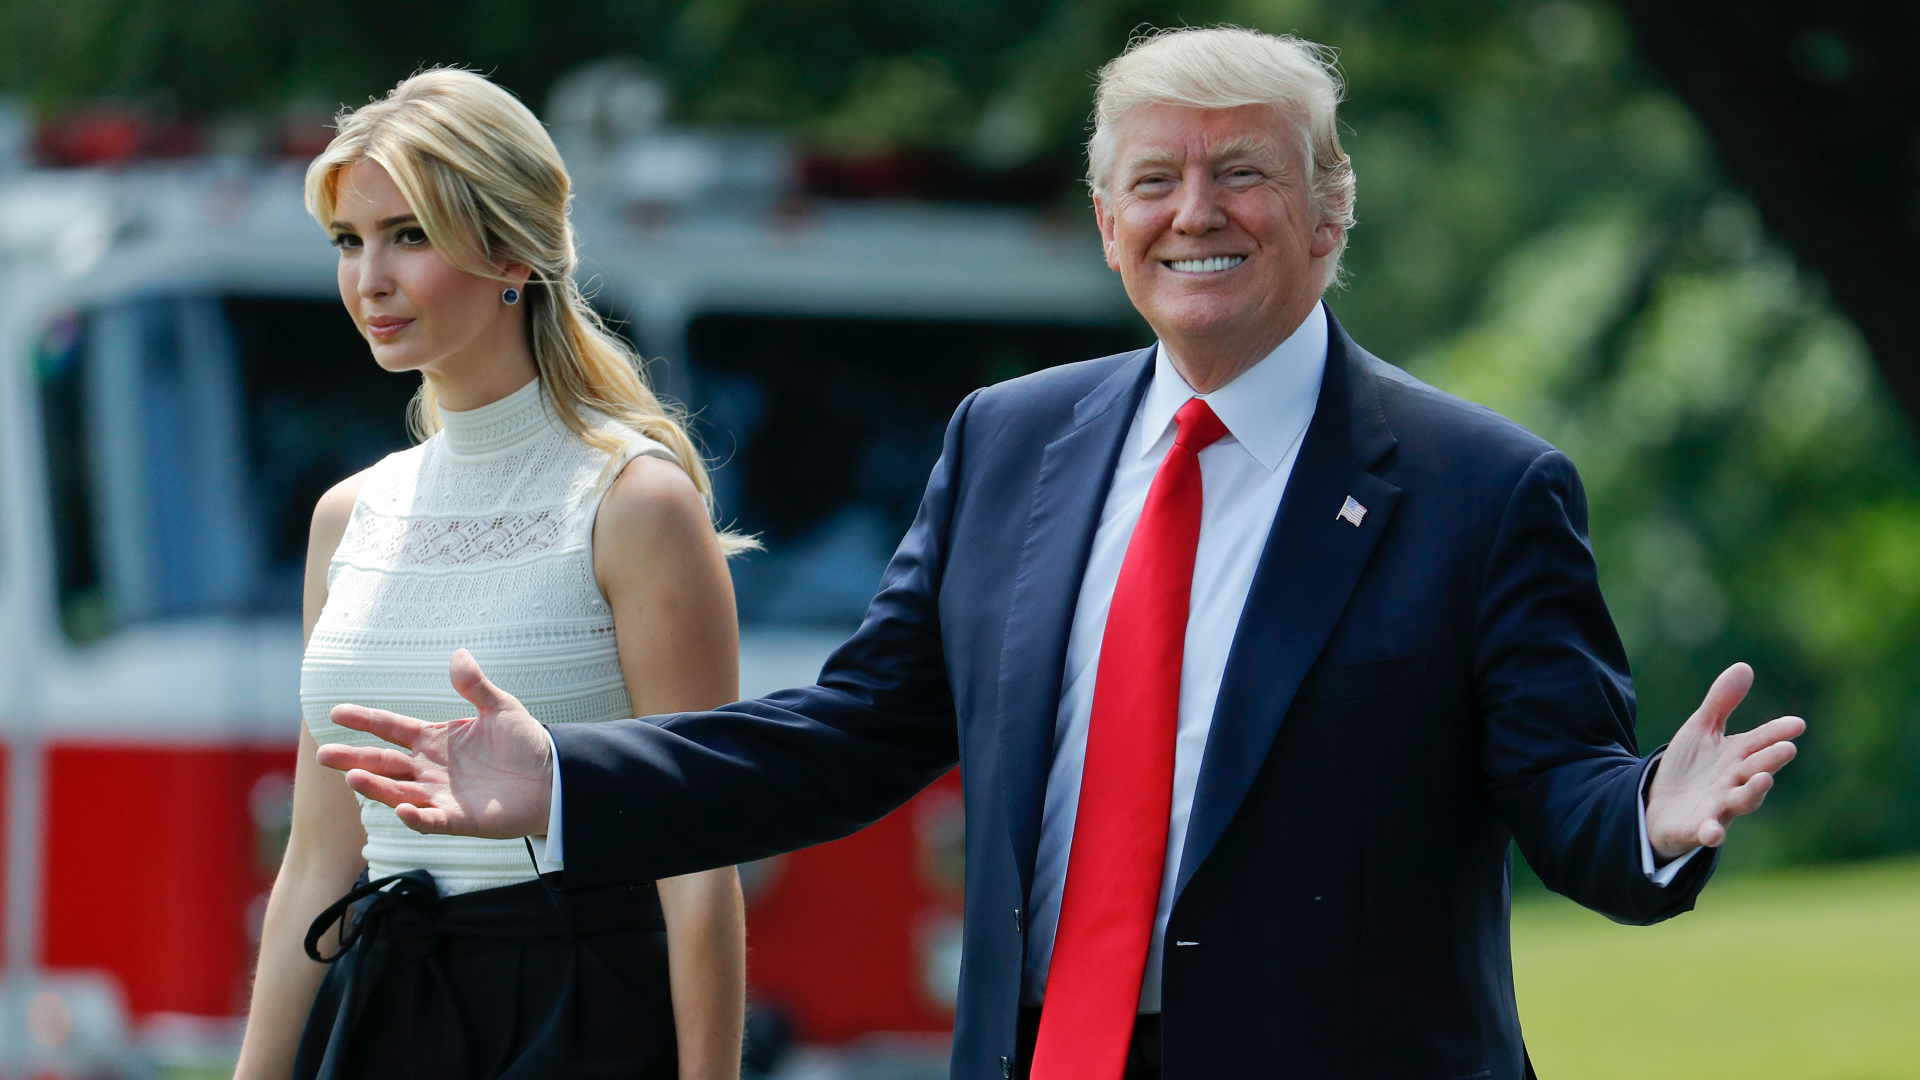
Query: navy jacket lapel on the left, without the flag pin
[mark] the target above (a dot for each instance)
(1068, 495)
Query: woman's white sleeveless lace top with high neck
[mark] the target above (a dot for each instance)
(477, 539)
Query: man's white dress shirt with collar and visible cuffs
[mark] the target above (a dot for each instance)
(1243, 478)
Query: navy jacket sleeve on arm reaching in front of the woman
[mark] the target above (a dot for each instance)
(677, 795)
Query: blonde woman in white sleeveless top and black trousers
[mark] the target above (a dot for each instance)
(558, 520)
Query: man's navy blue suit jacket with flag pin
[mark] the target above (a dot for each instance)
(1401, 700)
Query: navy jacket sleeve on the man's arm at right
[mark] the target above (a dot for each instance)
(1558, 699)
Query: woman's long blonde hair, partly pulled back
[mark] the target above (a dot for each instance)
(489, 187)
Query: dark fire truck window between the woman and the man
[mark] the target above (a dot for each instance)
(827, 430)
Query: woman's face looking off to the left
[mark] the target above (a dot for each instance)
(418, 310)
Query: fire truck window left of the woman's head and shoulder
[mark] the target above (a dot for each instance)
(185, 445)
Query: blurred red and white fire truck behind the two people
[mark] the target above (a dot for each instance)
(180, 383)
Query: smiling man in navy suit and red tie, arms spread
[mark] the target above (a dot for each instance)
(1253, 649)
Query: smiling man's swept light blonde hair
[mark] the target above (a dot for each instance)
(1222, 68)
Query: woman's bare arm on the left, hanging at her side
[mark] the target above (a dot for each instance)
(324, 852)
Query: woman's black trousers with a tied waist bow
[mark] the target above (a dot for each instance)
(512, 983)
